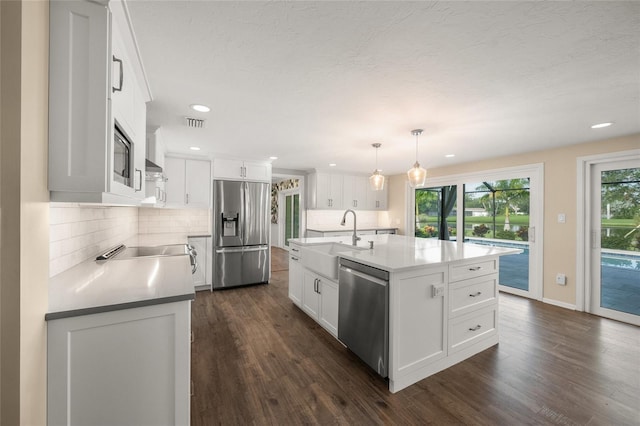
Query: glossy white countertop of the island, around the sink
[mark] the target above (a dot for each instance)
(397, 252)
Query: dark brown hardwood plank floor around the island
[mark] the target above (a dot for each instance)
(258, 359)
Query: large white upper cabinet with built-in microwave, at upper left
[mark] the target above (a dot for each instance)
(86, 101)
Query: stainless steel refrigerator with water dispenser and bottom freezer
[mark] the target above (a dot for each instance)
(240, 233)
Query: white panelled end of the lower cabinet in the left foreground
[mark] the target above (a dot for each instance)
(130, 366)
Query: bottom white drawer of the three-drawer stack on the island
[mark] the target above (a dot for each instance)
(468, 329)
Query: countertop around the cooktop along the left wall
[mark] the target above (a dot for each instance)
(101, 286)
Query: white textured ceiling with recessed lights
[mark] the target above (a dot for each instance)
(319, 82)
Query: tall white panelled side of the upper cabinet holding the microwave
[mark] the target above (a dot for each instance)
(80, 86)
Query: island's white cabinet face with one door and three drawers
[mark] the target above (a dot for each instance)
(440, 315)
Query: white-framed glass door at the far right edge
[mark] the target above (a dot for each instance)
(612, 283)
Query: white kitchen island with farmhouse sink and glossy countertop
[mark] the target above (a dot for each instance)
(442, 302)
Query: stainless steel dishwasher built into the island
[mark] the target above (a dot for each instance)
(363, 313)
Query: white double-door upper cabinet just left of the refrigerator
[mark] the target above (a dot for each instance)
(188, 183)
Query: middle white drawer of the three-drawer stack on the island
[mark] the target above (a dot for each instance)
(473, 294)
